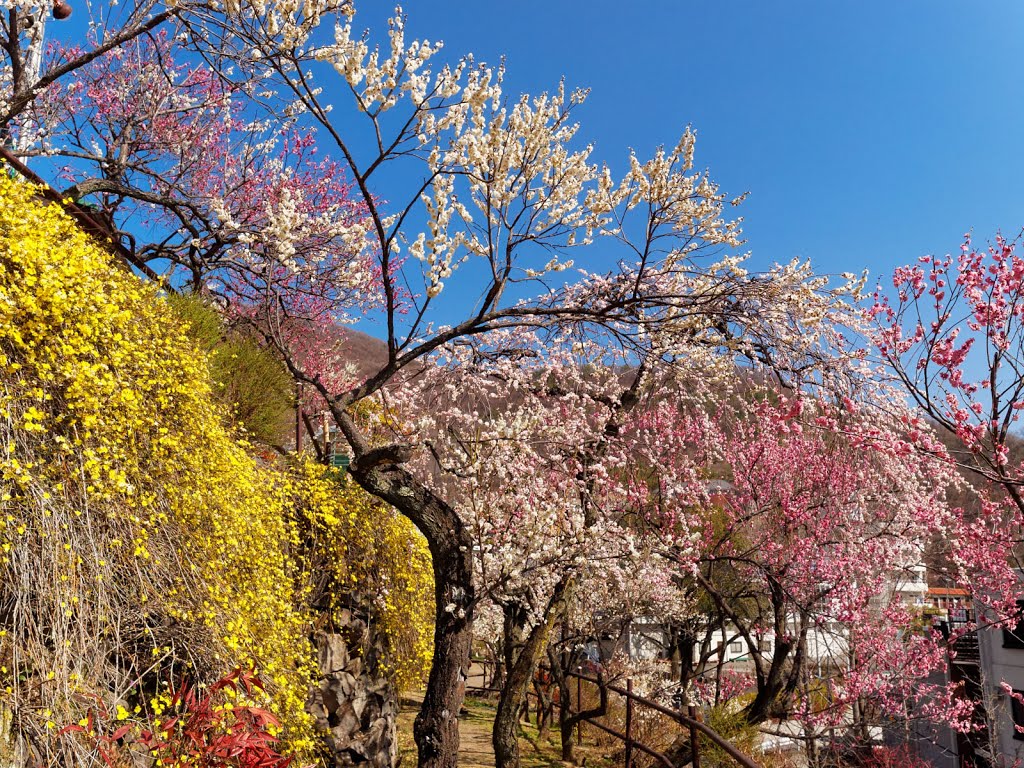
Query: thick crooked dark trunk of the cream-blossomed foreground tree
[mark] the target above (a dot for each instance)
(437, 728)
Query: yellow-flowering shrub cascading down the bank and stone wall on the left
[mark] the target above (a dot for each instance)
(141, 543)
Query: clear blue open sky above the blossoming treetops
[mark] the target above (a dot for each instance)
(868, 134)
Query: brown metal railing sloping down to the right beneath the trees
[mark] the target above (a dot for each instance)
(692, 721)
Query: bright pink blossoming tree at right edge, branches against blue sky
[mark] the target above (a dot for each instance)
(952, 337)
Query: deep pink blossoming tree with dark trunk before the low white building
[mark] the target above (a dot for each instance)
(800, 553)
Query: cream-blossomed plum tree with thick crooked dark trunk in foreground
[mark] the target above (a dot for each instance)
(502, 202)
